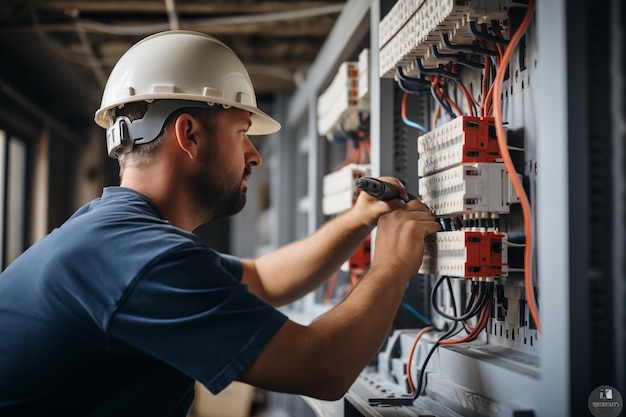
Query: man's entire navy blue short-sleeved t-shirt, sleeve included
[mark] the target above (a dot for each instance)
(117, 312)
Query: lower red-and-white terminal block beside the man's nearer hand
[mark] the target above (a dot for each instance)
(471, 254)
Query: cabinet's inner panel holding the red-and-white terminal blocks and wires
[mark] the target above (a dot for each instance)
(473, 173)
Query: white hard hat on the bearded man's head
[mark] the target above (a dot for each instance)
(182, 65)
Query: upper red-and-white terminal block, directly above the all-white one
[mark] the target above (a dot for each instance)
(463, 140)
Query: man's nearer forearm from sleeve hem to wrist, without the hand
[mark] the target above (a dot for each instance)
(323, 359)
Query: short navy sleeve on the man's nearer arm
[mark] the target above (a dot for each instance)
(189, 309)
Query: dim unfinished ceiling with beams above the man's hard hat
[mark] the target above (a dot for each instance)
(57, 54)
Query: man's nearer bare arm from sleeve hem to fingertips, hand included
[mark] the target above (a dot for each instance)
(323, 359)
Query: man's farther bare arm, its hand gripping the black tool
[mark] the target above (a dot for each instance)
(294, 270)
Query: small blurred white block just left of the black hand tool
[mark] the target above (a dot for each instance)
(339, 191)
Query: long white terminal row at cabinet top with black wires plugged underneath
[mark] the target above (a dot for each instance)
(412, 26)
